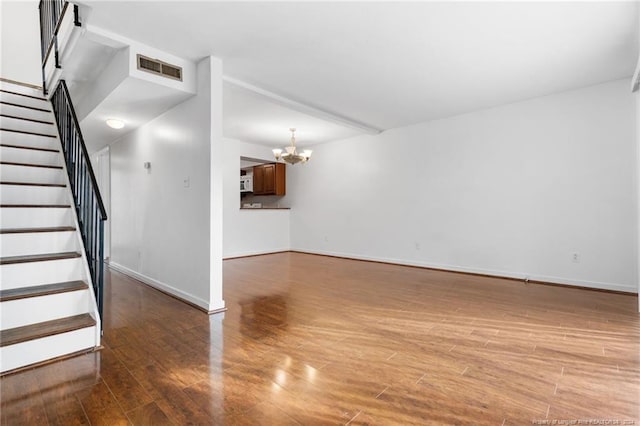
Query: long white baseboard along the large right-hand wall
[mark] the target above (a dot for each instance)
(495, 273)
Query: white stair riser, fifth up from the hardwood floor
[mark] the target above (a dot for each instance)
(35, 217)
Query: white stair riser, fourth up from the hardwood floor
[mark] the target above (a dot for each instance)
(37, 243)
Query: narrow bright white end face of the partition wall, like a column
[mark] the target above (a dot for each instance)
(216, 302)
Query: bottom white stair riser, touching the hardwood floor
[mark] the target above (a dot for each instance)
(33, 351)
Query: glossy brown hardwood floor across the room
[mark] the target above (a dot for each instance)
(318, 340)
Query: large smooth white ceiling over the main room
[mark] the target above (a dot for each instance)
(390, 64)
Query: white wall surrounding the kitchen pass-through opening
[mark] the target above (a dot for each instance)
(249, 232)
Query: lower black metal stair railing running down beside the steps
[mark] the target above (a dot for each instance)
(88, 202)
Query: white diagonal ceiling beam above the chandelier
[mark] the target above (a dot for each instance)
(304, 108)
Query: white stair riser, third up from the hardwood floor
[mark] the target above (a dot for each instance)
(21, 275)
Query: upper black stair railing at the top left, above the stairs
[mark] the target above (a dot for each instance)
(51, 15)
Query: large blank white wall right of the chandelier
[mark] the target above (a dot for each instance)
(511, 191)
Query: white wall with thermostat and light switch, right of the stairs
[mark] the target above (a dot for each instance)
(160, 219)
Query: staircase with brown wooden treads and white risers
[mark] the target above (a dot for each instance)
(48, 307)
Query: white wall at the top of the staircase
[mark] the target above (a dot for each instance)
(20, 45)
